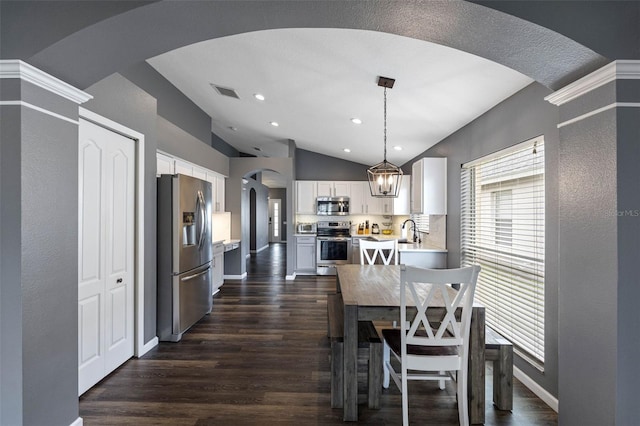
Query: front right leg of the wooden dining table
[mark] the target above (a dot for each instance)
(476, 367)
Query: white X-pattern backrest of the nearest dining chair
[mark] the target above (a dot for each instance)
(431, 288)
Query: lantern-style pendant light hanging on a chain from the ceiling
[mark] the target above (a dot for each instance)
(385, 177)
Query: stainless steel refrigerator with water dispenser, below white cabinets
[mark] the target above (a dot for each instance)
(184, 254)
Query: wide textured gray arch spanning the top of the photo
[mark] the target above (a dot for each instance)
(86, 56)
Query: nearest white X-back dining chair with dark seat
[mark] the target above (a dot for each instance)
(433, 350)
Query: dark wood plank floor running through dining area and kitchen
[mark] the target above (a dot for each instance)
(262, 358)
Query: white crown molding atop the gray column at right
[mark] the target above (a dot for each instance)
(616, 70)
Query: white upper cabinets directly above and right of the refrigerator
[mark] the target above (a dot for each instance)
(167, 165)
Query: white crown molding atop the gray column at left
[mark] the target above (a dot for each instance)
(15, 68)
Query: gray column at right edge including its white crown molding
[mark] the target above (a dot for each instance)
(599, 240)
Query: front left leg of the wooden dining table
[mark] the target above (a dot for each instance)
(350, 360)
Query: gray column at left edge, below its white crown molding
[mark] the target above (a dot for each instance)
(38, 184)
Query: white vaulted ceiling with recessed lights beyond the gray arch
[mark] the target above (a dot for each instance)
(316, 80)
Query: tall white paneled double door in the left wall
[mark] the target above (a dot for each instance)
(106, 252)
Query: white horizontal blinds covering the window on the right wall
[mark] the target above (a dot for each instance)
(502, 230)
